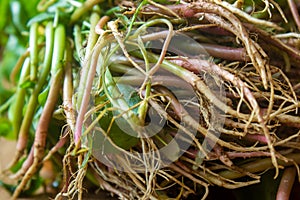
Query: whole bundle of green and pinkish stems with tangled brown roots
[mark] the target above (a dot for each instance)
(158, 100)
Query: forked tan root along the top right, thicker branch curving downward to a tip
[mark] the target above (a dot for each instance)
(225, 18)
